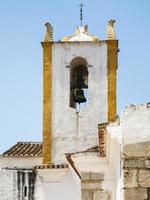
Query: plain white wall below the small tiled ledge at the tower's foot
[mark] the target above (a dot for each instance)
(56, 185)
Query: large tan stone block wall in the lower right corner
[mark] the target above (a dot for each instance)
(136, 171)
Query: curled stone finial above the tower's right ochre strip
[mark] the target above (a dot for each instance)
(110, 30)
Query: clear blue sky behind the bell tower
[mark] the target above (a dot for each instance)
(22, 30)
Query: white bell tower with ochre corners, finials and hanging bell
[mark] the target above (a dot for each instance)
(79, 90)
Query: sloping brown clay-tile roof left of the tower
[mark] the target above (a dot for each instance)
(24, 149)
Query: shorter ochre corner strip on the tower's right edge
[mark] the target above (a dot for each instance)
(112, 52)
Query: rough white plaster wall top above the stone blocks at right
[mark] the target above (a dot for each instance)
(135, 123)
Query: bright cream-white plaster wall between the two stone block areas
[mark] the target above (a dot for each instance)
(109, 165)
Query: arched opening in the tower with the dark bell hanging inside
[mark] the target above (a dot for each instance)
(78, 83)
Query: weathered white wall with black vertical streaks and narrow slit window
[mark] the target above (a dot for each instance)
(14, 181)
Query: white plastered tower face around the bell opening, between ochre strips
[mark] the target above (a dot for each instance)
(71, 131)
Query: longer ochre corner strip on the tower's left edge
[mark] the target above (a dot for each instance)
(47, 102)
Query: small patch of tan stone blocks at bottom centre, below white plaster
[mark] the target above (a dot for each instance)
(91, 187)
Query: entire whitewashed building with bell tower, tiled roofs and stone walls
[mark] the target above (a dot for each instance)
(87, 153)
